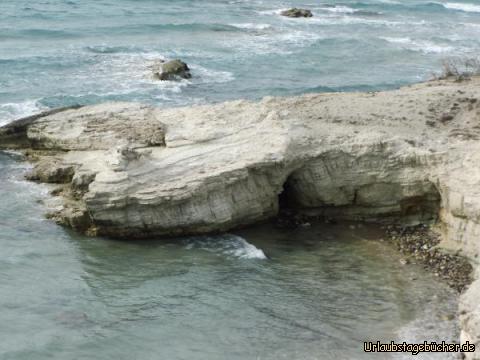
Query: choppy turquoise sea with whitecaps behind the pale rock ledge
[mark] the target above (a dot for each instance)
(64, 52)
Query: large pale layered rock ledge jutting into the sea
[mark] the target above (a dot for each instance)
(135, 171)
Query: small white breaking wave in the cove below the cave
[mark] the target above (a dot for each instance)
(227, 244)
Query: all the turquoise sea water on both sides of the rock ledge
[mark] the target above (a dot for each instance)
(260, 293)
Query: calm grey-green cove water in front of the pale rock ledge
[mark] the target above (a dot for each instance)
(258, 293)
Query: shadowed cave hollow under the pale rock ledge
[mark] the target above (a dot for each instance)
(396, 202)
